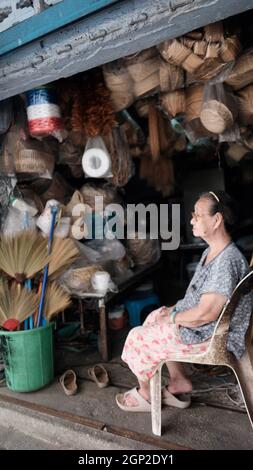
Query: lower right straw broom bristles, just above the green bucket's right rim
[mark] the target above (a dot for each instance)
(56, 300)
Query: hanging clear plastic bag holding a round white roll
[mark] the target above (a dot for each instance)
(96, 160)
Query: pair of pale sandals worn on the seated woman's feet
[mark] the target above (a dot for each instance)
(144, 405)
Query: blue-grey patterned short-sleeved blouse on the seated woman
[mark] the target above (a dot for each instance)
(220, 275)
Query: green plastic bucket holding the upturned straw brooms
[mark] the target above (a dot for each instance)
(28, 358)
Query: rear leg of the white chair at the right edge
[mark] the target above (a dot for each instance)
(244, 373)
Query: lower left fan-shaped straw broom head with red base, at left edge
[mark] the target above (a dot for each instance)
(16, 305)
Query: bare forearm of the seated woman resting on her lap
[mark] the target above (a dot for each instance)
(207, 310)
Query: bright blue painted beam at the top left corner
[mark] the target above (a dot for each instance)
(47, 21)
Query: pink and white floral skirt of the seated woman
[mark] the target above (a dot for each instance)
(155, 341)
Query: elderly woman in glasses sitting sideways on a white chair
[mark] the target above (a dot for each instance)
(187, 326)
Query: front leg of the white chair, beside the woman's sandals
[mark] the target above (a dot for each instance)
(156, 401)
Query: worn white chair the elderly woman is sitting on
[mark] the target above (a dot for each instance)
(216, 354)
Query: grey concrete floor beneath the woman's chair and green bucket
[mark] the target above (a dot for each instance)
(199, 427)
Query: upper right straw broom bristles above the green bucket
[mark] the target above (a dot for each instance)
(64, 252)
